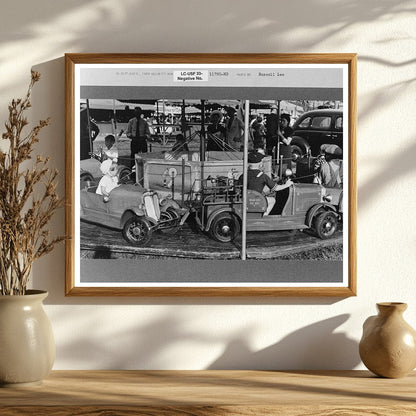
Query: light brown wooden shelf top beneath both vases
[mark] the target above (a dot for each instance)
(203, 393)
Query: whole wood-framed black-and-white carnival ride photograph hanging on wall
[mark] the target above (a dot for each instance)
(211, 174)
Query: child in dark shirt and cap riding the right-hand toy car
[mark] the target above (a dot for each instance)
(257, 179)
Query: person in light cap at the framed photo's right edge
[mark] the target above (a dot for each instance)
(329, 166)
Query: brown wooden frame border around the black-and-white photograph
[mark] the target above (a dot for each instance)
(325, 58)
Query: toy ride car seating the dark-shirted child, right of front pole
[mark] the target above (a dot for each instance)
(218, 209)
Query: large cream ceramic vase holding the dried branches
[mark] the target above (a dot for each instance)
(27, 347)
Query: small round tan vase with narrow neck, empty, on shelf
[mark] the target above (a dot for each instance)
(388, 345)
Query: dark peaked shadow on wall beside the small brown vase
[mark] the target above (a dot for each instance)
(316, 346)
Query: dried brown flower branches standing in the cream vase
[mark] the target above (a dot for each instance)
(28, 200)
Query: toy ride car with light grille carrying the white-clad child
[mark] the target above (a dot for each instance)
(134, 210)
